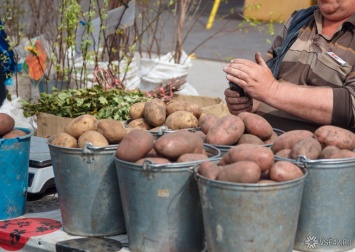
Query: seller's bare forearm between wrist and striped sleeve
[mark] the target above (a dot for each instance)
(310, 103)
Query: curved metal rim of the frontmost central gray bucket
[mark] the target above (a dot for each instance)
(253, 186)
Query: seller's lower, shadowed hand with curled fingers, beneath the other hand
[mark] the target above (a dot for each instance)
(237, 104)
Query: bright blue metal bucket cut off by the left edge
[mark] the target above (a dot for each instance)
(14, 160)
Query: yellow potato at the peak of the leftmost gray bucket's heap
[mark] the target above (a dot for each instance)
(81, 124)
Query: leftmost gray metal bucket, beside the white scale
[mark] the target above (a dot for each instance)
(88, 191)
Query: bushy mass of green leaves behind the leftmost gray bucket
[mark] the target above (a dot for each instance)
(112, 103)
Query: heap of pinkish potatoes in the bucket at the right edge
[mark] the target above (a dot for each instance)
(326, 142)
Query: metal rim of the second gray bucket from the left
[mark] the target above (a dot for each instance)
(173, 166)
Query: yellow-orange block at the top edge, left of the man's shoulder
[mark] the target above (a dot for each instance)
(273, 10)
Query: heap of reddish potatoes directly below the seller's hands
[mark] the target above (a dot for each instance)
(229, 130)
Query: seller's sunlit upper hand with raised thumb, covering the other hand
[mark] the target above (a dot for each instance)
(254, 77)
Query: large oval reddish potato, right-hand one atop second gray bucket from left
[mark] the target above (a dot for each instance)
(173, 145)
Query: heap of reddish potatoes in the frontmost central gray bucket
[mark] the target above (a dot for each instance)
(250, 163)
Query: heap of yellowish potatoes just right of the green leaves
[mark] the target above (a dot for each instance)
(155, 113)
